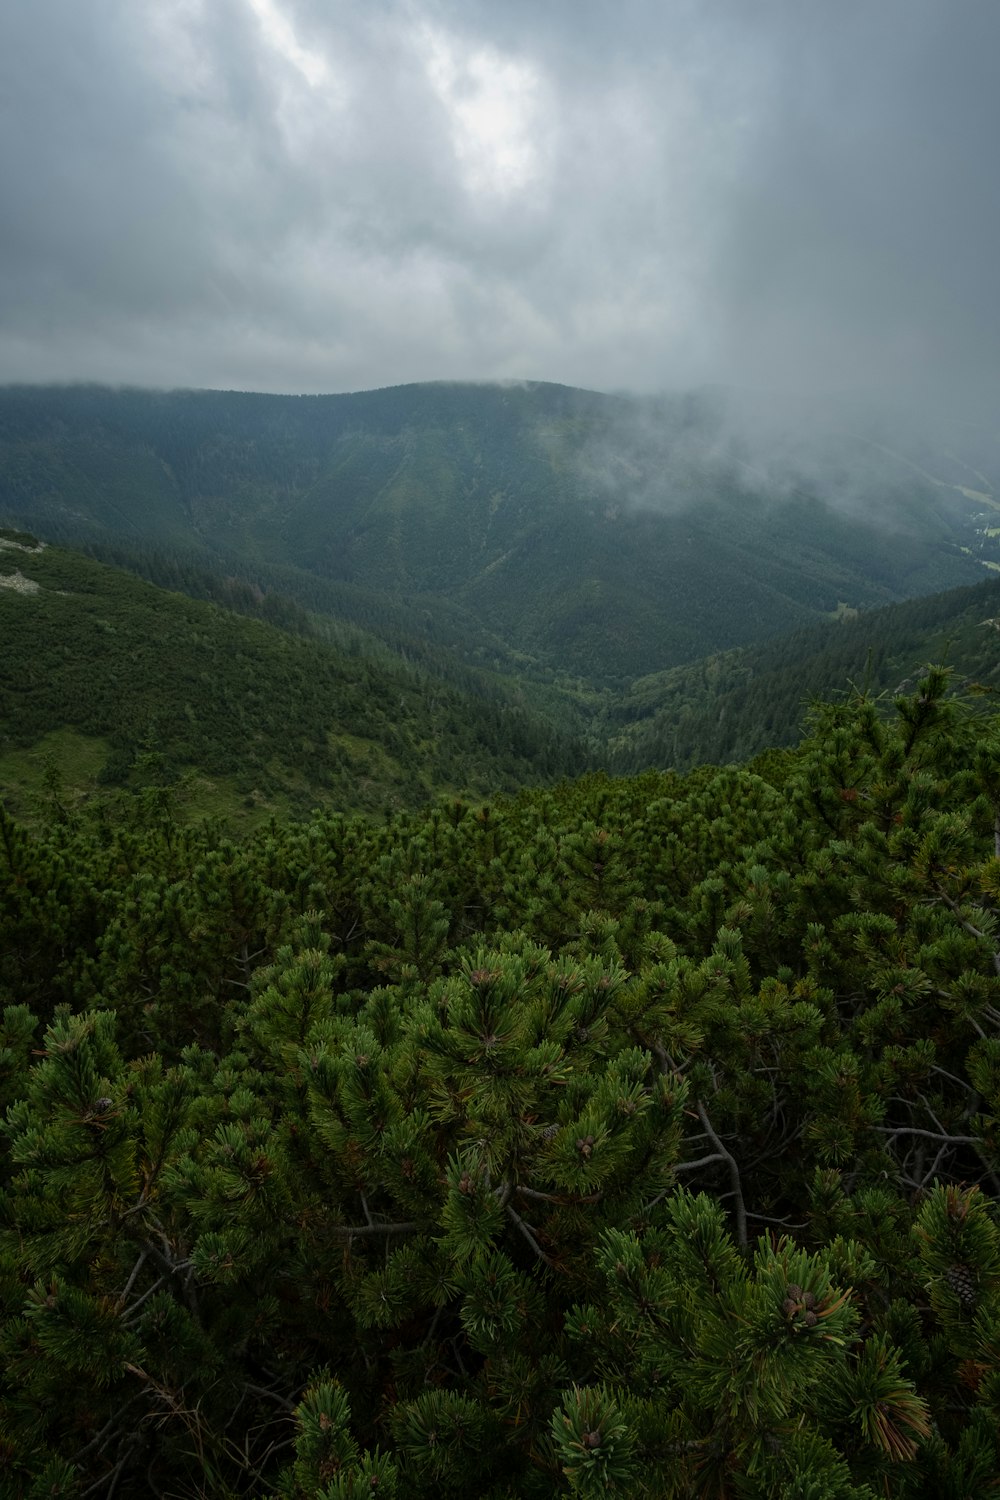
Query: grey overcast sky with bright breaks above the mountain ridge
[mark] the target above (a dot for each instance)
(320, 196)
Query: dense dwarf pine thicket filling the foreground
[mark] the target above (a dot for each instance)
(624, 1138)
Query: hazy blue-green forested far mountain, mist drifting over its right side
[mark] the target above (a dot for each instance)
(596, 535)
